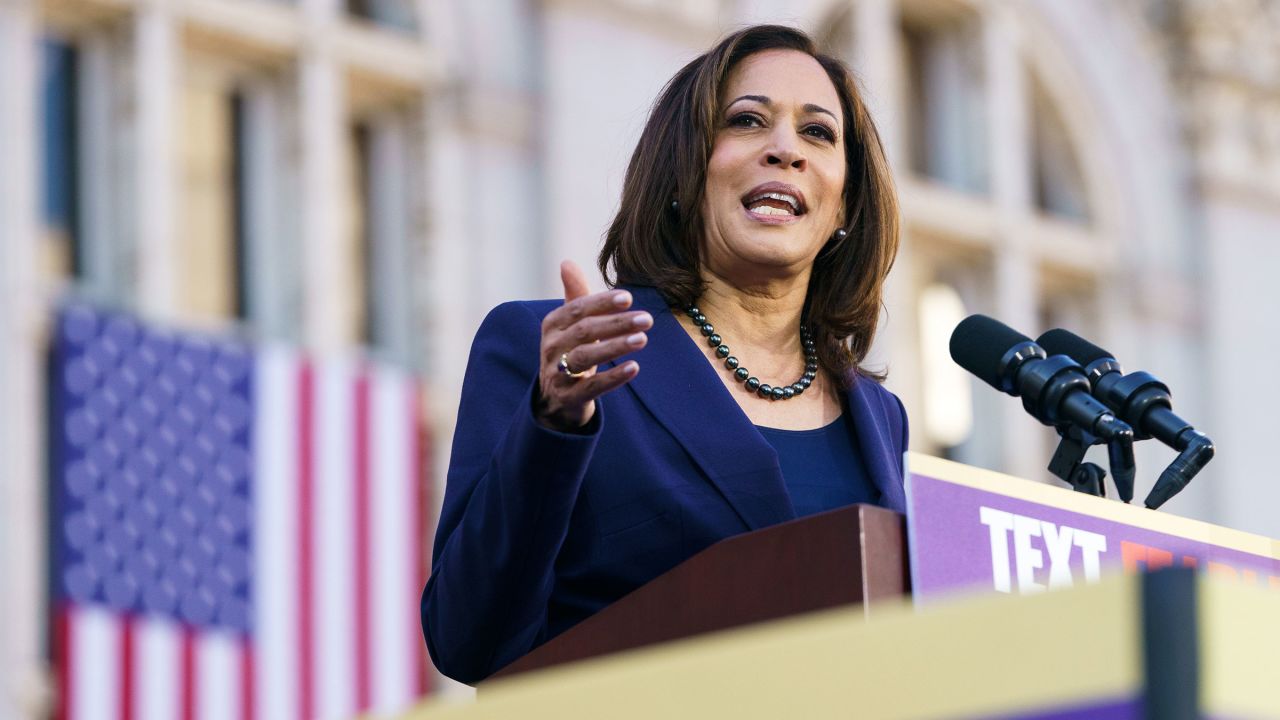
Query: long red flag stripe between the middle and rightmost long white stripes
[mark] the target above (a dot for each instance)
(364, 548)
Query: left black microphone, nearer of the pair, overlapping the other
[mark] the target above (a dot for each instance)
(1054, 390)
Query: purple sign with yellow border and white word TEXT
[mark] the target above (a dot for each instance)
(972, 530)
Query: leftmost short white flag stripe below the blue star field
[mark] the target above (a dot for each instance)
(97, 664)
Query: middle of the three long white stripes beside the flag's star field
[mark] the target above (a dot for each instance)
(335, 541)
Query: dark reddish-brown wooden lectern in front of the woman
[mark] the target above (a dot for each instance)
(852, 555)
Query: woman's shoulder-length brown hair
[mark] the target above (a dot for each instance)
(652, 244)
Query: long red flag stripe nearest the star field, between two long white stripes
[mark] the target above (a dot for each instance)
(307, 512)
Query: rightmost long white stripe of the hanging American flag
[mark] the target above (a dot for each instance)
(392, 505)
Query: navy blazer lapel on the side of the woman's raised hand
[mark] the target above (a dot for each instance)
(680, 388)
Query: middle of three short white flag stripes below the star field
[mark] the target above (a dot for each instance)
(157, 669)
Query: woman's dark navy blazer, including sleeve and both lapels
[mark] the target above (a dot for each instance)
(541, 530)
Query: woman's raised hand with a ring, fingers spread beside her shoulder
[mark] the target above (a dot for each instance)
(586, 332)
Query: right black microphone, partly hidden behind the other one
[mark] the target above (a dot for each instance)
(1145, 403)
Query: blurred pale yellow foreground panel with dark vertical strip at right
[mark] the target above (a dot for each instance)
(1171, 644)
